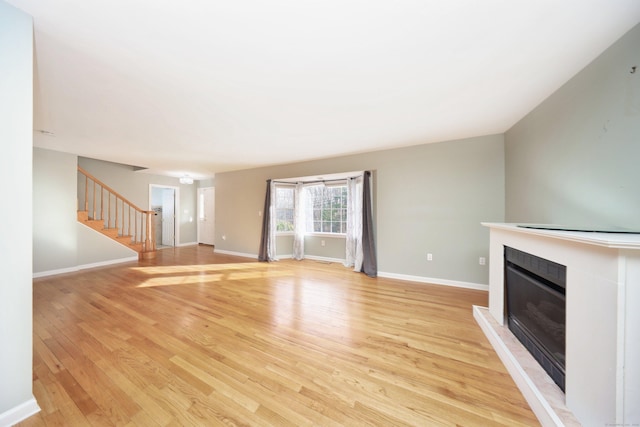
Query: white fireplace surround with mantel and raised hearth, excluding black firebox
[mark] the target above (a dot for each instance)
(602, 321)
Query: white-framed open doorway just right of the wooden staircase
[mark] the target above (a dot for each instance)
(163, 200)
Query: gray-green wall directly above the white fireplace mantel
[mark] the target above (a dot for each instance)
(574, 159)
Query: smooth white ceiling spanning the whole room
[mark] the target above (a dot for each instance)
(200, 87)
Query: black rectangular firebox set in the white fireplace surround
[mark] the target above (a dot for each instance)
(535, 290)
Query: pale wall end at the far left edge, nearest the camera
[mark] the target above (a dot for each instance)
(16, 136)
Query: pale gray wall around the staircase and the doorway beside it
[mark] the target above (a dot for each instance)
(60, 243)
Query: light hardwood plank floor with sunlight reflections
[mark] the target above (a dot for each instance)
(196, 338)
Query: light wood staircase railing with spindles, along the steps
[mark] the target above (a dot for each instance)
(106, 211)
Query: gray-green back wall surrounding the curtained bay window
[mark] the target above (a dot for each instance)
(427, 198)
